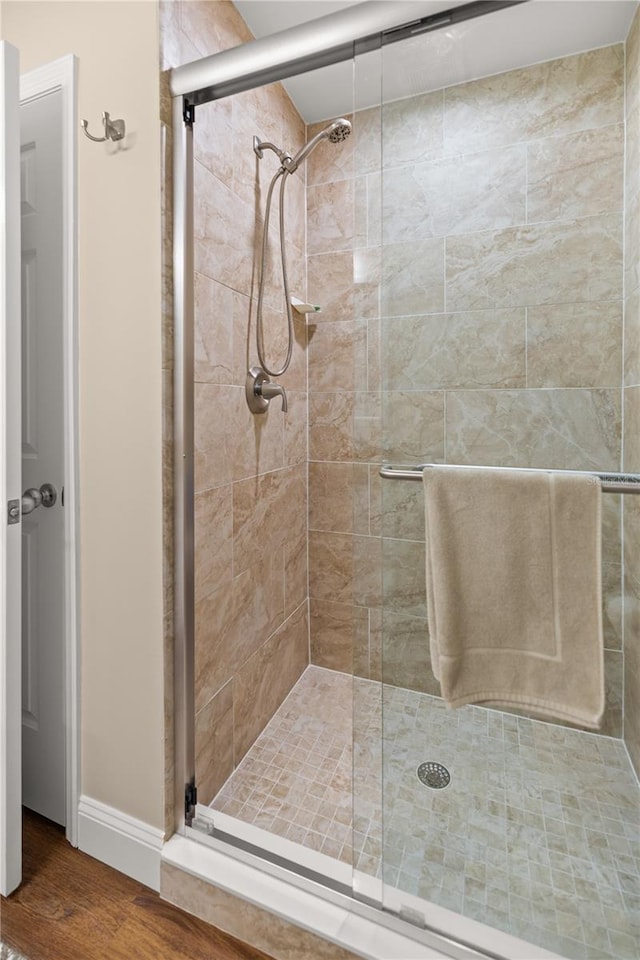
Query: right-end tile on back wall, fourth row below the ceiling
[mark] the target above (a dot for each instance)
(574, 345)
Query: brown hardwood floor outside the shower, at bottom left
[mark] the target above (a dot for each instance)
(72, 907)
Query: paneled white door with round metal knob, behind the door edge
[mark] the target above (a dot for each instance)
(43, 530)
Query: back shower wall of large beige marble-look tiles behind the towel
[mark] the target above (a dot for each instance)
(488, 329)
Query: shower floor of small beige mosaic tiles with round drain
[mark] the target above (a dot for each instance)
(537, 834)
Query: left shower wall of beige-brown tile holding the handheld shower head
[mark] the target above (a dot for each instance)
(250, 507)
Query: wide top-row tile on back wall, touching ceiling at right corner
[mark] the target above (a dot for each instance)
(545, 100)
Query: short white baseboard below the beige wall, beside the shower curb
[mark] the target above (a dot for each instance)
(120, 841)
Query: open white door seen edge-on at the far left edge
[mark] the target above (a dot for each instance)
(10, 475)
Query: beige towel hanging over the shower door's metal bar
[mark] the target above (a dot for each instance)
(514, 589)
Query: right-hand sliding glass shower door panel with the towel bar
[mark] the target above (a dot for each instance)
(500, 344)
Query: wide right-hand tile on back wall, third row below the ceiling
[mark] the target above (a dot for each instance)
(568, 262)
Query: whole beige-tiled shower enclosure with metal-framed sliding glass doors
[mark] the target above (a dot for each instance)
(473, 246)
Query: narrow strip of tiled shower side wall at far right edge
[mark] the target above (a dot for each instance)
(631, 523)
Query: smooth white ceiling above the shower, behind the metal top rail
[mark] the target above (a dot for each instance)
(518, 36)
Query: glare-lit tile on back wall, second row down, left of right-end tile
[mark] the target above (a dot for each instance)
(459, 195)
